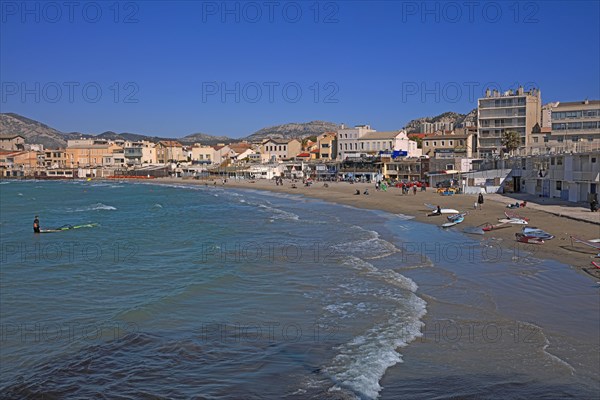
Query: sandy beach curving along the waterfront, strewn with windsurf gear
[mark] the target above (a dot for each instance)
(561, 248)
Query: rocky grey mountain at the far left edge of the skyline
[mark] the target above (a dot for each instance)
(32, 131)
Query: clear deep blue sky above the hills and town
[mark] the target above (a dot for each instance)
(171, 69)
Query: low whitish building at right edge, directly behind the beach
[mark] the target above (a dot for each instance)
(572, 177)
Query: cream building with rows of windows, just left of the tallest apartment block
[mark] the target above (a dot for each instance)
(450, 146)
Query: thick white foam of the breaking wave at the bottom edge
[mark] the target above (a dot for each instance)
(362, 362)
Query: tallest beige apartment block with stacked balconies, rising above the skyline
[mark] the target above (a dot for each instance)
(498, 113)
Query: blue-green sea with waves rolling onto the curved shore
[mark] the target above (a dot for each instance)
(209, 292)
